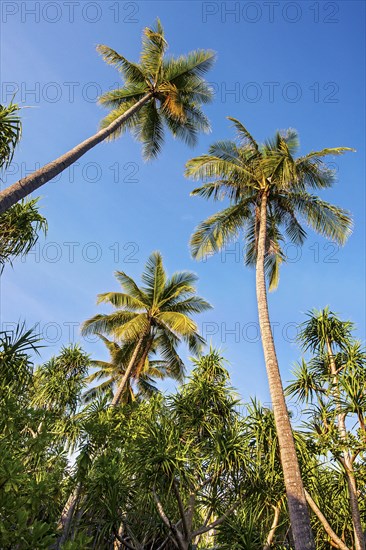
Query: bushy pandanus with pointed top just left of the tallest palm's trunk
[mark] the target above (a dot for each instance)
(189, 457)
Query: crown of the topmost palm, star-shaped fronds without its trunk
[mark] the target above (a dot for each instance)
(175, 85)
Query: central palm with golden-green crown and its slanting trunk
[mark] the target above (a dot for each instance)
(155, 316)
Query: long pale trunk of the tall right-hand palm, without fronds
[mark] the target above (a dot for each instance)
(298, 510)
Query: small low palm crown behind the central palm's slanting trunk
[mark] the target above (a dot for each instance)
(145, 371)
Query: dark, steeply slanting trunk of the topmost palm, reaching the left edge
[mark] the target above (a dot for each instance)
(27, 185)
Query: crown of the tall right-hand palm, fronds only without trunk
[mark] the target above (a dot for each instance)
(243, 172)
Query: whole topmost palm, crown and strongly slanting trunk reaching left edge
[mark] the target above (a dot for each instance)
(157, 92)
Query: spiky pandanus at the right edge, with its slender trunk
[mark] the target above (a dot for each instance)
(332, 383)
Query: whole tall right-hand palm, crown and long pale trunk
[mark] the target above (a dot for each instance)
(270, 191)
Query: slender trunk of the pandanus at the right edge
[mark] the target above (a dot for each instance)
(347, 461)
